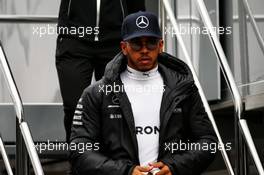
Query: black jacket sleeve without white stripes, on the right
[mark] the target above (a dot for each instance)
(199, 131)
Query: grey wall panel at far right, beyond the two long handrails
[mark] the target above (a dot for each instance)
(255, 57)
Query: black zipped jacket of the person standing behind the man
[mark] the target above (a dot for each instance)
(83, 13)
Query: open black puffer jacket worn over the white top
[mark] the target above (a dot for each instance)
(106, 122)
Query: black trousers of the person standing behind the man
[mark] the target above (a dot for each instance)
(75, 62)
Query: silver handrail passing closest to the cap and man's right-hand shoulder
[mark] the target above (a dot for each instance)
(202, 94)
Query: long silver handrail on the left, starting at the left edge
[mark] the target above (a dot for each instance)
(20, 114)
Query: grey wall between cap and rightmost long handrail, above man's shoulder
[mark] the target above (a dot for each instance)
(198, 44)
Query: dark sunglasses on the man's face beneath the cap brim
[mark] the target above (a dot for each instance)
(136, 44)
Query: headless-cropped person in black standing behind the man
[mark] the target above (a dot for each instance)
(88, 36)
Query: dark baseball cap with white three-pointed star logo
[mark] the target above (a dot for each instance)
(140, 24)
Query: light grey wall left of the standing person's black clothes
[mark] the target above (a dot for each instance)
(31, 57)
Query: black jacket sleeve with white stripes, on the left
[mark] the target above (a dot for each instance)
(86, 131)
